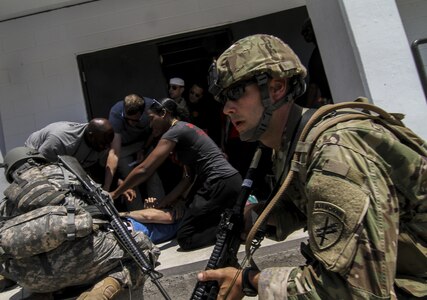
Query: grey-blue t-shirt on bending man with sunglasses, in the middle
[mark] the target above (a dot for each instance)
(130, 134)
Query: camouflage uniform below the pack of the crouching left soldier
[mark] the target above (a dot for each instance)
(81, 262)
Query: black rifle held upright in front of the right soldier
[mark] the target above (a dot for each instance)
(228, 236)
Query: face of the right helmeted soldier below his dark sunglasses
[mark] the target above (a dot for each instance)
(246, 111)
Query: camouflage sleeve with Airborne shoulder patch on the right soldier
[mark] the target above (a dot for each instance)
(353, 219)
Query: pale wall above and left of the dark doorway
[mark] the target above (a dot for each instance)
(39, 79)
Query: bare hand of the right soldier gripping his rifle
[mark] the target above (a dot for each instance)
(225, 277)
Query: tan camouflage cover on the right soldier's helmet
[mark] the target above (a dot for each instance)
(253, 55)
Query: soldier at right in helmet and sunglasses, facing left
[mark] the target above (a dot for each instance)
(361, 193)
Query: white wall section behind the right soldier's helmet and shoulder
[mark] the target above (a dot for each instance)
(368, 55)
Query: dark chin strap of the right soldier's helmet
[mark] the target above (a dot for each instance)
(255, 133)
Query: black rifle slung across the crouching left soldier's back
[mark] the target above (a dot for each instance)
(105, 204)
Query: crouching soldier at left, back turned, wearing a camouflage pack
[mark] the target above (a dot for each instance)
(44, 256)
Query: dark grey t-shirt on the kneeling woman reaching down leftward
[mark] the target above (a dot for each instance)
(196, 149)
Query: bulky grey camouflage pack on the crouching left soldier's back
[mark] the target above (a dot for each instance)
(41, 210)
